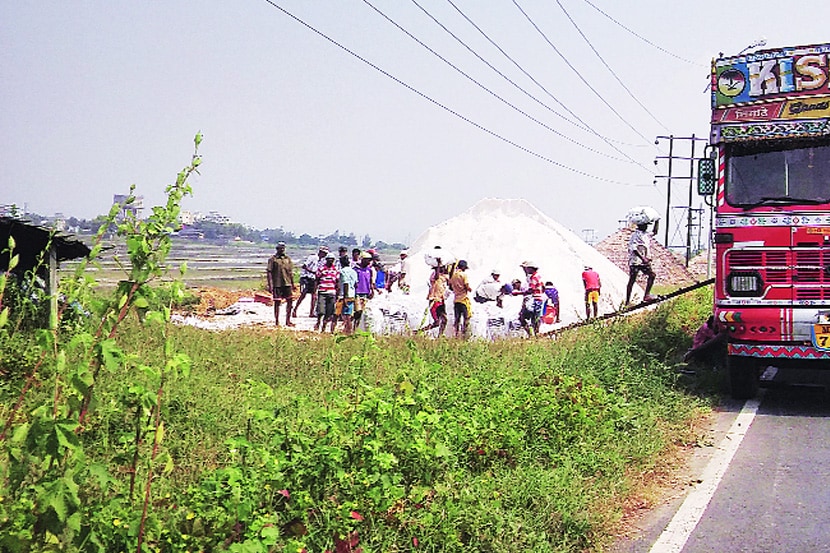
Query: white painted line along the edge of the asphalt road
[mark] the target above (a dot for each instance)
(683, 523)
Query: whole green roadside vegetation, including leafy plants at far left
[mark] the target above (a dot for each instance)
(260, 440)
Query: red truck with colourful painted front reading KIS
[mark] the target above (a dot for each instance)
(769, 169)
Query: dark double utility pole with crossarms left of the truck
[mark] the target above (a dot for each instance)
(677, 172)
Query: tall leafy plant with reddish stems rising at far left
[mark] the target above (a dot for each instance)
(50, 492)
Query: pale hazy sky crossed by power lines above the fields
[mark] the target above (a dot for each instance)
(299, 133)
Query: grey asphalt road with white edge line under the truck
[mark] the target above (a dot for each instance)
(774, 494)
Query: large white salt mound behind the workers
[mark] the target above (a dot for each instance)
(501, 234)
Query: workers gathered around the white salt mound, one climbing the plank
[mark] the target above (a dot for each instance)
(340, 284)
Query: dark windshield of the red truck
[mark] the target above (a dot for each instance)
(780, 172)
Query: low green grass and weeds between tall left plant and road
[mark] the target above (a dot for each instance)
(284, 442)
